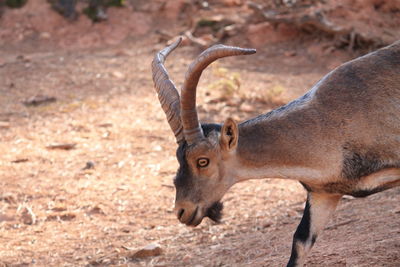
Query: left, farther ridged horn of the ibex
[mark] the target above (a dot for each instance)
(166, 91)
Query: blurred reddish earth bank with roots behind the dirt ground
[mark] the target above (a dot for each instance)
(348, 24)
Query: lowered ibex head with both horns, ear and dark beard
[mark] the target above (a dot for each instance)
(205, 152)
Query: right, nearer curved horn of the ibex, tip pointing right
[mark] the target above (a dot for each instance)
(191, 127)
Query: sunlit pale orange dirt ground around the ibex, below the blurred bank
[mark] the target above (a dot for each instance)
(86, 177)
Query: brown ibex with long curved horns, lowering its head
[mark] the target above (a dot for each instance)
(340, 138)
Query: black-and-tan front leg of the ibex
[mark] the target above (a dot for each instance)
(318, 210)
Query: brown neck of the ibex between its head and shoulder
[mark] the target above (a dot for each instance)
(280, 144)
